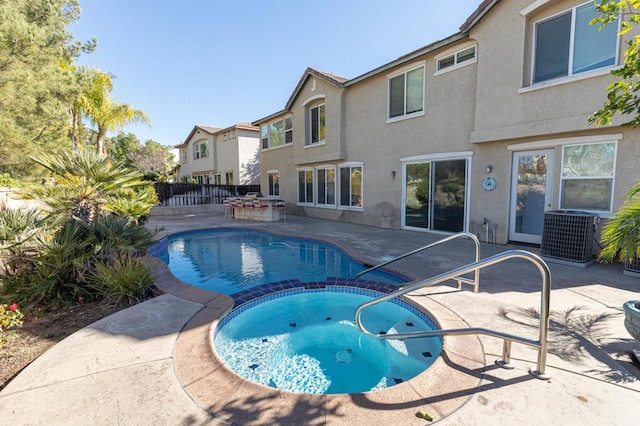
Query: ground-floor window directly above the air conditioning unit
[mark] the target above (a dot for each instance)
(587, 176)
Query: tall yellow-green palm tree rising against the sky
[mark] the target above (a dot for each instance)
(105, 112)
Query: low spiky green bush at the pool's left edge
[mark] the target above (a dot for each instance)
(124, 279)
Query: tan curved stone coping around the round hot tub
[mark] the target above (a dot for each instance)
(442, 389)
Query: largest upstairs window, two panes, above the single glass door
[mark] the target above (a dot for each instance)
(567, 45)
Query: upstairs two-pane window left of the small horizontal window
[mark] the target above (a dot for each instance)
(406, 93)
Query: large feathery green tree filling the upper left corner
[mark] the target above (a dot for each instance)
(34, 88)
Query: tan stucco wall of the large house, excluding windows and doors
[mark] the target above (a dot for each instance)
(483, 108)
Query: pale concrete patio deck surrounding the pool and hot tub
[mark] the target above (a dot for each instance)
(153, 364)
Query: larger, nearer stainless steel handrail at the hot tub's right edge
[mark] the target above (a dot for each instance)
(505, 362)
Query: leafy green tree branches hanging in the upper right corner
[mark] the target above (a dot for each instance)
(622, 95)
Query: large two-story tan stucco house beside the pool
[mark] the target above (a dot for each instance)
(486, 126)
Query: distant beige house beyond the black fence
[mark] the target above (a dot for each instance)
(228, 156)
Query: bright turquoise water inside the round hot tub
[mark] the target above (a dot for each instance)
(306, 341)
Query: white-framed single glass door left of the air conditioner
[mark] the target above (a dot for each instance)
(531, 191)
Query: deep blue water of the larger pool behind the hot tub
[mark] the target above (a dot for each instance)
(228, 261)
